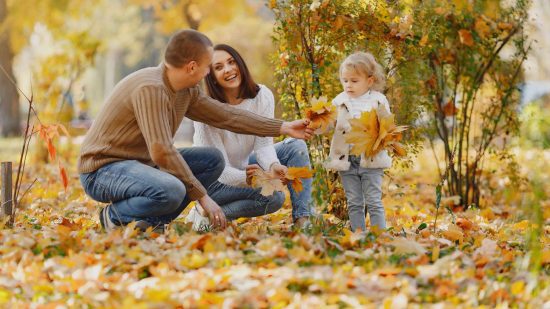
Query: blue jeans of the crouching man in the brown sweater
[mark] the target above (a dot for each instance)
(141, 192)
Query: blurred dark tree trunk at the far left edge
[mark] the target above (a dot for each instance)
(9, 98)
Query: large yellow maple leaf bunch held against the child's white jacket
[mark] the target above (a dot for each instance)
(374, 131)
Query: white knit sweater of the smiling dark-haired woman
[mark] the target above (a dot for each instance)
(236, 148)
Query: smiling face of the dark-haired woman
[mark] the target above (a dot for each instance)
(225, 70)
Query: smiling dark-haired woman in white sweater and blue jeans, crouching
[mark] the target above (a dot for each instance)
(230, 82)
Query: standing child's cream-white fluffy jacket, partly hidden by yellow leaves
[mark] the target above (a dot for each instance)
(347, 109)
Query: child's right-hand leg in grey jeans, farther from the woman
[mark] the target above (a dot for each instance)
(372, 190)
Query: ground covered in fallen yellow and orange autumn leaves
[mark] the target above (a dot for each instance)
(57, 256)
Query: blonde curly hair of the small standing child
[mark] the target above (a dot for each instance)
(364, 63)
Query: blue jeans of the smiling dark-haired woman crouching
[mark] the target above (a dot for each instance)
(237, 202)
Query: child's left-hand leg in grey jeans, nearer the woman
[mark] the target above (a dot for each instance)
(351, 180)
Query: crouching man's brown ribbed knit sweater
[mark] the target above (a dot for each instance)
(141, 116)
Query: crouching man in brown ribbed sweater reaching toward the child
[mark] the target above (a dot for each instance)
(128, 158)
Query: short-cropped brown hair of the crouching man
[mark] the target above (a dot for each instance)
(186, 46)
